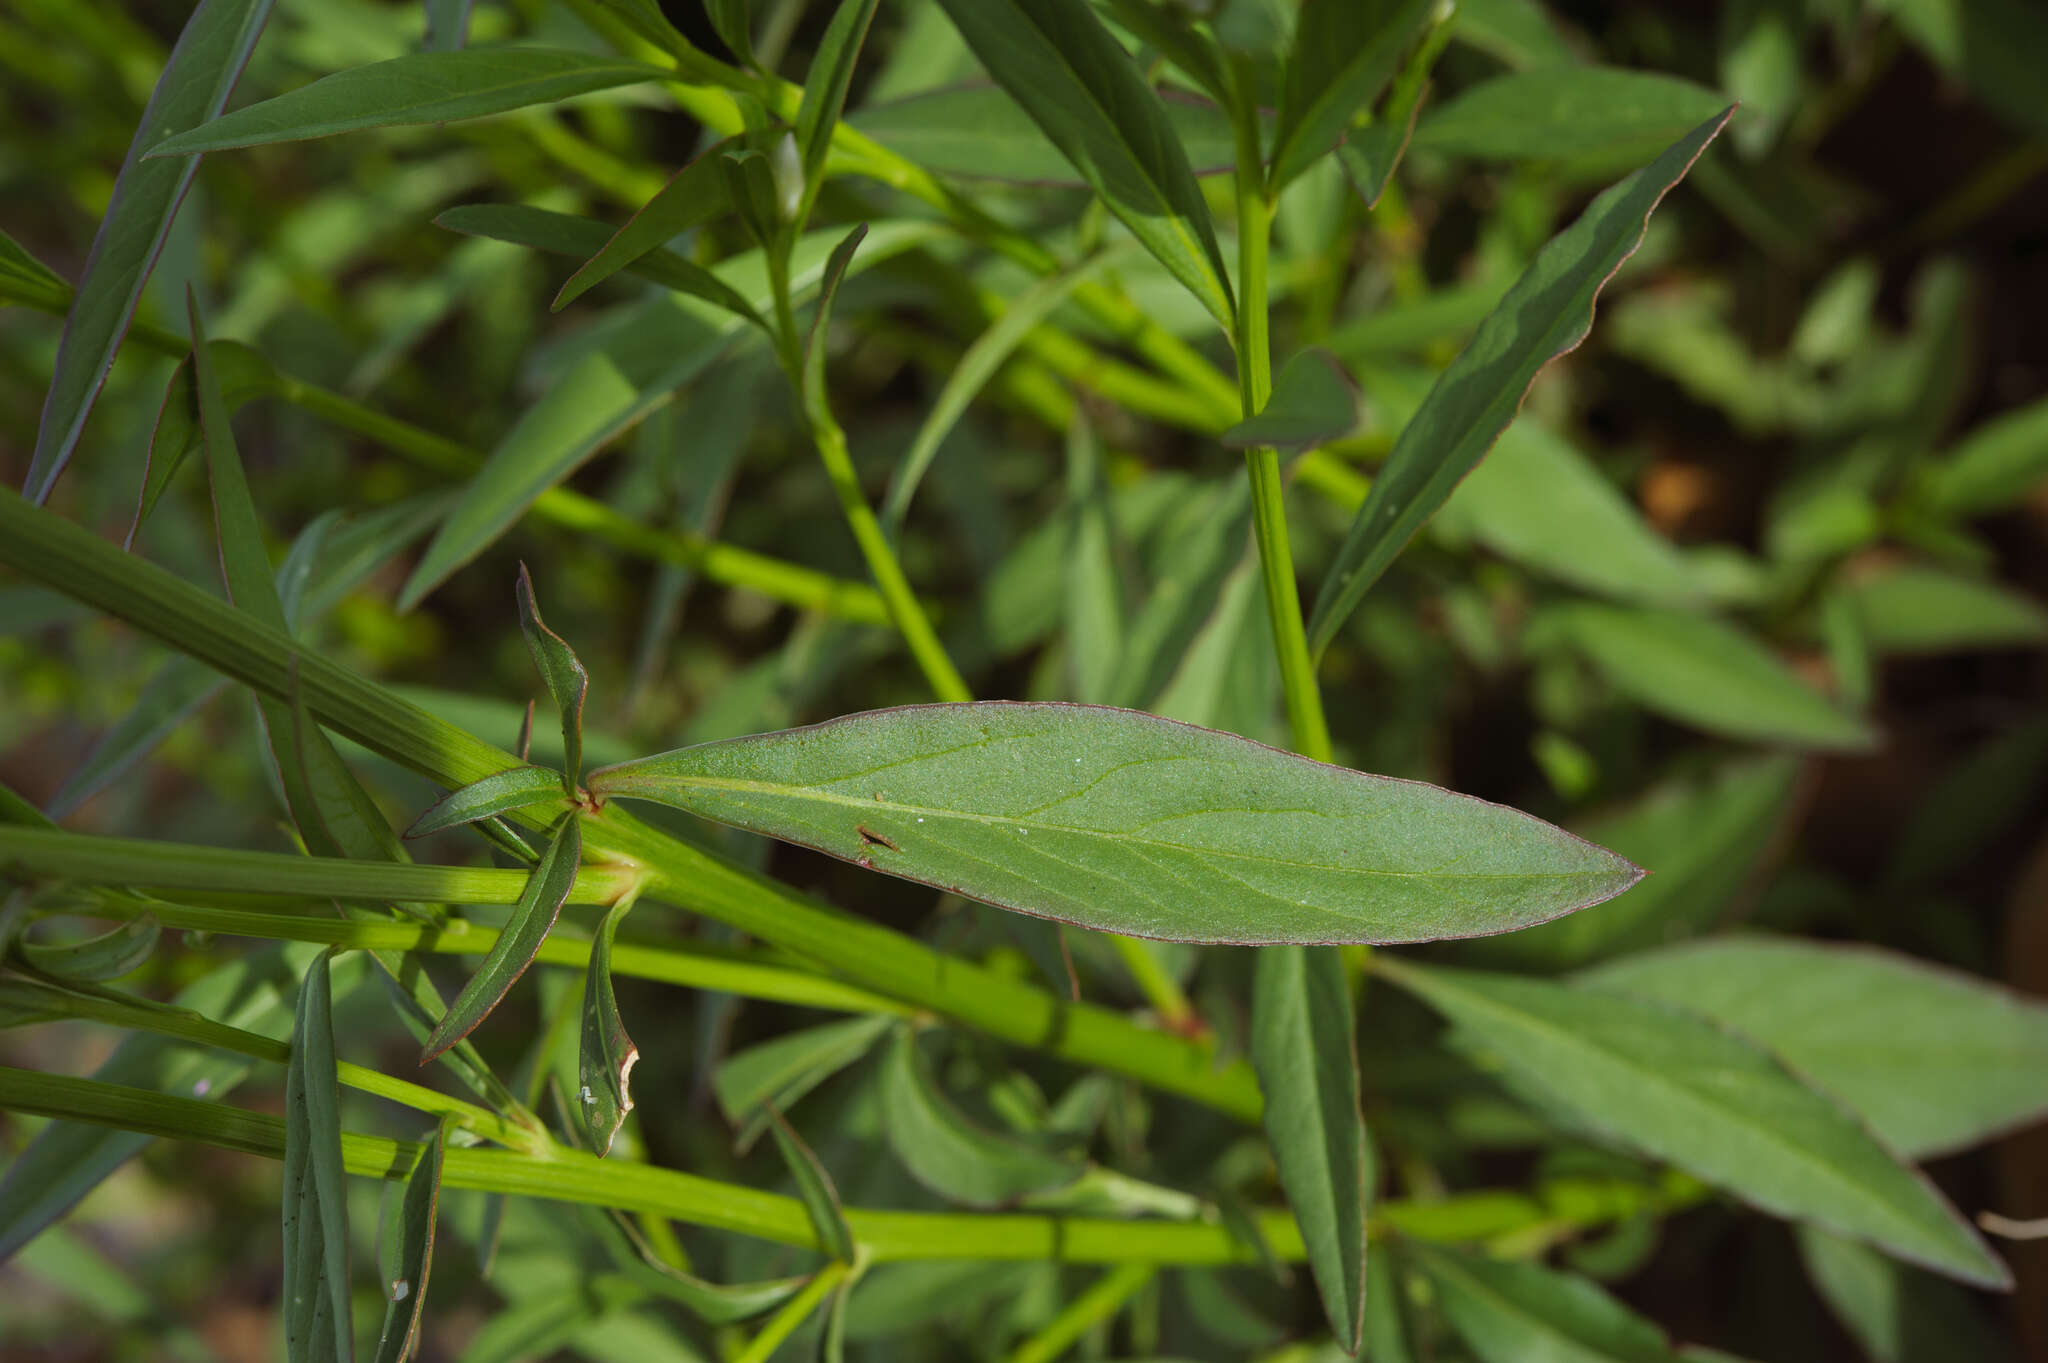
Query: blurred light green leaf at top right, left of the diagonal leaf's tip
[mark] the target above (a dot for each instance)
(1576, 112)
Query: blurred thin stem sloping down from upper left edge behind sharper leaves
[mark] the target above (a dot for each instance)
(724, 564)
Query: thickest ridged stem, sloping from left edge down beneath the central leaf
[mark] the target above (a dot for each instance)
(77, 564)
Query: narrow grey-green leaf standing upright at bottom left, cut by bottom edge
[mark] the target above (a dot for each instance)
(318, 1323)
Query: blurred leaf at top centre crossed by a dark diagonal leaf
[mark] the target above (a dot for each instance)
(982, 134)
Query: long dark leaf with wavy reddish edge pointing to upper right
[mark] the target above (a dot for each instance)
(1543, 316)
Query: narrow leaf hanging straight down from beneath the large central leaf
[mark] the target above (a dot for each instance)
(1306, 1049)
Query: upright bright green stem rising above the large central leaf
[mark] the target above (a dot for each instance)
(1269, 492)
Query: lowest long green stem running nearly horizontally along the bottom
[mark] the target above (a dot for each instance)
(572, 1176)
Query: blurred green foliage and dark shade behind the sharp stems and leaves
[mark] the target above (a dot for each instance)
(1752, 592)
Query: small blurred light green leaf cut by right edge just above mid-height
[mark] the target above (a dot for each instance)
(1920, 609)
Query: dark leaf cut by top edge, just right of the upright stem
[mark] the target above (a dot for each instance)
(1342, 58)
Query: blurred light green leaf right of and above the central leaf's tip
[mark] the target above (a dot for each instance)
(1703, 672)
